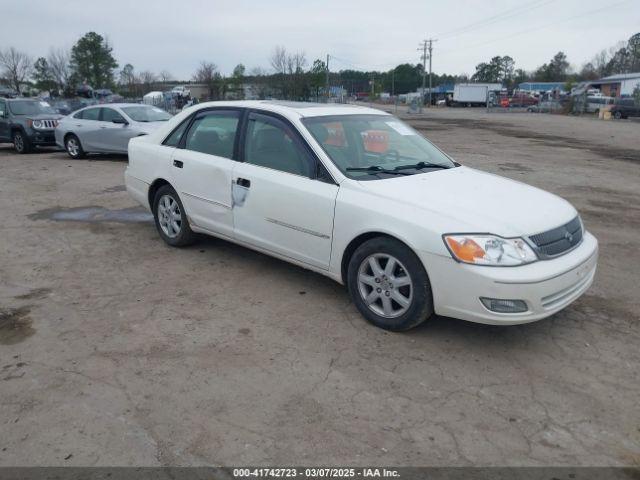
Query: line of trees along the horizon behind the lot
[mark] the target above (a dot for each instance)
(90, 61)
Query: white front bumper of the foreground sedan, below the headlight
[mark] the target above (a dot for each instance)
(547, 286)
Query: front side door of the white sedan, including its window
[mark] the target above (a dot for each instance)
(279, 205)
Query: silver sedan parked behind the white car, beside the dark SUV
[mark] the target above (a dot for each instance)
(107, 128)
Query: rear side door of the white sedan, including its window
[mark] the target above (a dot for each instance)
(202, 168)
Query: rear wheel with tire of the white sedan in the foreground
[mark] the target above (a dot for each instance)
(171, 219)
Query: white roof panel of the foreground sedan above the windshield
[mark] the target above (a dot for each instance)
(299, 109)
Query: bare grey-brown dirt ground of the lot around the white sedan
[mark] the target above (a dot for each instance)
(118, 350)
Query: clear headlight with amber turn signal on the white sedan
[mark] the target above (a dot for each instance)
(479, 249)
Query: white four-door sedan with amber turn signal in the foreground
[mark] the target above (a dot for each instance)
(357, 195)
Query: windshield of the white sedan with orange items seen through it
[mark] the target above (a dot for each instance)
(371, 147)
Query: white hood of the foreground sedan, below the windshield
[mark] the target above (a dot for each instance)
(462, 199)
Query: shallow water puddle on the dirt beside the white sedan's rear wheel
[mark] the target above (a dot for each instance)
(93, 214)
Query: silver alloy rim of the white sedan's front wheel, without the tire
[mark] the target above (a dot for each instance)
(385, 285)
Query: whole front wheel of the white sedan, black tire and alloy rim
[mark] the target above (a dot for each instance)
(389, 285)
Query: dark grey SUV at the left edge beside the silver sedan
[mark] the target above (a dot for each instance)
(27, 123)
